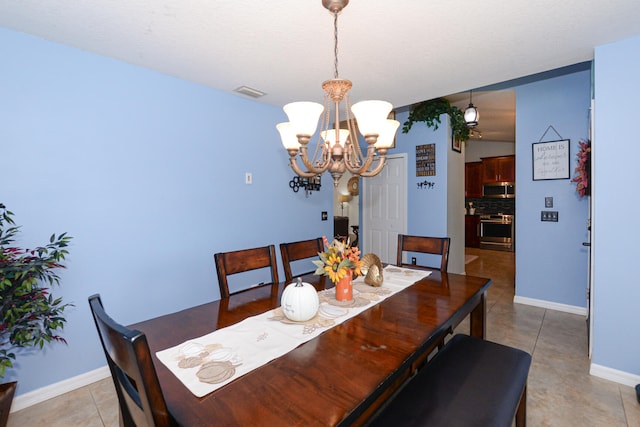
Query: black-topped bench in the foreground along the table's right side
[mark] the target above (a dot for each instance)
(470, 382)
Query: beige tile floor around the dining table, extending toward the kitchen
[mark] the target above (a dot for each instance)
(561, 391)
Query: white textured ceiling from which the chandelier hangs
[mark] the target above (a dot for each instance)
(403, 51)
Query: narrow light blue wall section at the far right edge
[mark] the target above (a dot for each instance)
(616, 341)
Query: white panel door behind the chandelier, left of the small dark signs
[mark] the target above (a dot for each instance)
(384, 209)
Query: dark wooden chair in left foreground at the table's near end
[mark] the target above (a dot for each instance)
(134, 376)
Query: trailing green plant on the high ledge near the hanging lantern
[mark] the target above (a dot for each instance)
(430, 111)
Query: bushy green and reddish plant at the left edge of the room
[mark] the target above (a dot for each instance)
(29, 315)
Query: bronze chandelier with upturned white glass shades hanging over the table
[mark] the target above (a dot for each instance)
(337, 149)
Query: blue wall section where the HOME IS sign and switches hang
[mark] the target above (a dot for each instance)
(551, 263)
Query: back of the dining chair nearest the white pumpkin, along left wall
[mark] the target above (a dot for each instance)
(229, 263)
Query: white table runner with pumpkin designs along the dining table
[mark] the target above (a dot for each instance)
(209, 362)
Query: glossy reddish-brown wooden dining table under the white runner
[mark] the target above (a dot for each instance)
(338, 378)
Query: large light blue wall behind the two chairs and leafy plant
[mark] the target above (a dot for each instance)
(147, 173)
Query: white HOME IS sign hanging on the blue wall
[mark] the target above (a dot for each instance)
(551, 160)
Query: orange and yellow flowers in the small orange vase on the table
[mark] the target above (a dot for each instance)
(338, 259)
